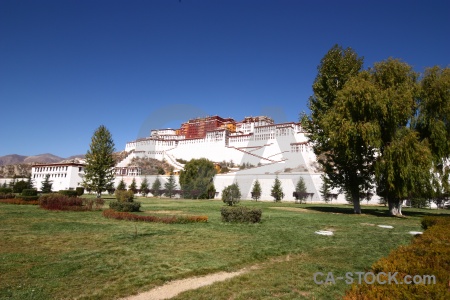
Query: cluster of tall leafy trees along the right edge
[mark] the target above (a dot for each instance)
(386, 128)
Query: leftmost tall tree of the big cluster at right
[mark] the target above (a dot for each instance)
(345, 161)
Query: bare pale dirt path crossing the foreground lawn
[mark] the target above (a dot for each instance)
(173, 288)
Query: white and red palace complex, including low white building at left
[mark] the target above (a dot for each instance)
(266, 148)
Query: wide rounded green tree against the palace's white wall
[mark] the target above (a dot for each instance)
(196, 177)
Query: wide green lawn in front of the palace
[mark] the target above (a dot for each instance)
(81, 255)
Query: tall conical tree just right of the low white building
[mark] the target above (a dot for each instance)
(99, 170)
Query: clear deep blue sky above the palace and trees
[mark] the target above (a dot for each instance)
(67, 67)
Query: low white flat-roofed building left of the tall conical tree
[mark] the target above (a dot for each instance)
(63, 176)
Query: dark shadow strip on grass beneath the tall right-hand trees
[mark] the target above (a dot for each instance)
(378, 211)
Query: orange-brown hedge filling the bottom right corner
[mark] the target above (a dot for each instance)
(428, 254)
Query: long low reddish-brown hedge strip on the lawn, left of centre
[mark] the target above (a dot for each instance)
(111, 214)
